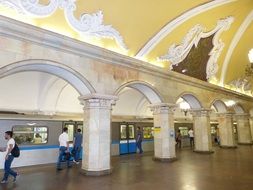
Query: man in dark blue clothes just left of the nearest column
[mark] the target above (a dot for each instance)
(77, 145)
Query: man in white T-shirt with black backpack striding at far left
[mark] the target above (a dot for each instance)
(9, 158)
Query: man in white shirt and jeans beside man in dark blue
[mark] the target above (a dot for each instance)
(64, 148)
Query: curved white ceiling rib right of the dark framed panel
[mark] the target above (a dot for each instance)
(243, 27)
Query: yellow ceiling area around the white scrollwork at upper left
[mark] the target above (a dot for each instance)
(136, 21)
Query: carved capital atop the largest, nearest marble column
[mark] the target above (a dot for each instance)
(97, 101)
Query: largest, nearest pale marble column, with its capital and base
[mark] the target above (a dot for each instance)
(97, 134)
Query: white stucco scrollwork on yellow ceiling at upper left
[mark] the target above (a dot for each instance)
(88, 24)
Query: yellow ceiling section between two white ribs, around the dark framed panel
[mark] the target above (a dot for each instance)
(208, 20)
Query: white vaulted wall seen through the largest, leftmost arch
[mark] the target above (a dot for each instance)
(44, 94)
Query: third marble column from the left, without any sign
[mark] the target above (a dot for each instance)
(202, 131)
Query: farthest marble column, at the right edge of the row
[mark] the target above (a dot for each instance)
(243, 129)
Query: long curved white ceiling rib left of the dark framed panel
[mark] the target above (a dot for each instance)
(167, 29)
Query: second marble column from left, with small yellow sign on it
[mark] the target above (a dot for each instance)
(164, 133)
